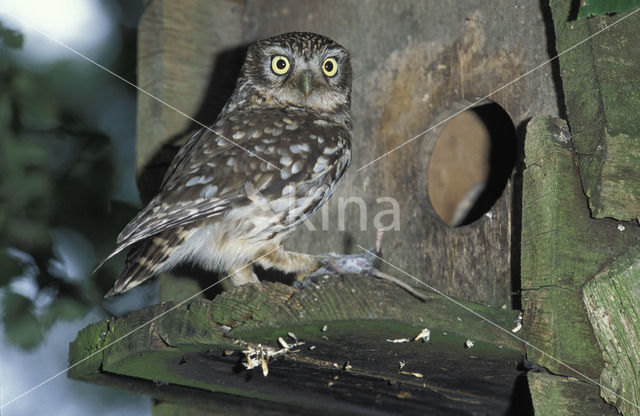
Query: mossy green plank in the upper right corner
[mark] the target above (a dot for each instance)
(602, 109)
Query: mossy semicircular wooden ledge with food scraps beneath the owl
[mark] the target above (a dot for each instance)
(363, 361)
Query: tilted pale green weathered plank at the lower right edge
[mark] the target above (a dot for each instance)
(611, 299)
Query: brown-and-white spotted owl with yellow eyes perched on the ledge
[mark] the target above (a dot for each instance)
(235, 191)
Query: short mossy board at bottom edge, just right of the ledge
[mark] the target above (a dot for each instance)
(558, 396)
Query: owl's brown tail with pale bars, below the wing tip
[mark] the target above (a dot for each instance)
(148, 257)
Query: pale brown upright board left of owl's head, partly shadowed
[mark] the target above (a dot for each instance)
(187, 59)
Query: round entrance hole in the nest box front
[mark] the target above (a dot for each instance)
(470, 164)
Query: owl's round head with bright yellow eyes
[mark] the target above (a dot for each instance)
(299, 69)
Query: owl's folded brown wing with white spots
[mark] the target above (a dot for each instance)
(209, 175)
